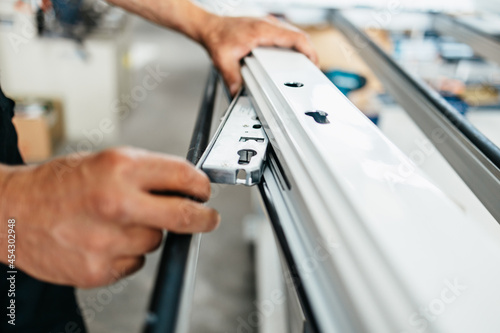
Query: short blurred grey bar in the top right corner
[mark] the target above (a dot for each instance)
(483, 43)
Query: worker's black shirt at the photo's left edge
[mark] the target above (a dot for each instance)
(40, 306)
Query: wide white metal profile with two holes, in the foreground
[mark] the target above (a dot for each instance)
(371, 247)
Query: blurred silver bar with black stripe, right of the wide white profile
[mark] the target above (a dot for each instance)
(475, 158)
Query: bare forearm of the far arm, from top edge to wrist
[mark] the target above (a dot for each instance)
(181, 15)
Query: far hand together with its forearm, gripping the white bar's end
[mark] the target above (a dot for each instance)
(227, 39)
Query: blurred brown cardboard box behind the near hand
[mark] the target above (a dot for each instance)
(39, 126)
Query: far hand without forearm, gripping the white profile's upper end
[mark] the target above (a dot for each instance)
(229, 39)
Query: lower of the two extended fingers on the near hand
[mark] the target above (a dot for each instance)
(174, 214)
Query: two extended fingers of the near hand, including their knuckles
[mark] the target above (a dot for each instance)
(127, 197)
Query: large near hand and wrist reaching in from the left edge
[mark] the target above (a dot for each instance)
(87, 221)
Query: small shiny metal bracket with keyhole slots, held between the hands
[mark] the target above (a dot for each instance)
(237, 153)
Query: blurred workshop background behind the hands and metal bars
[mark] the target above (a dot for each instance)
(87, 76)
